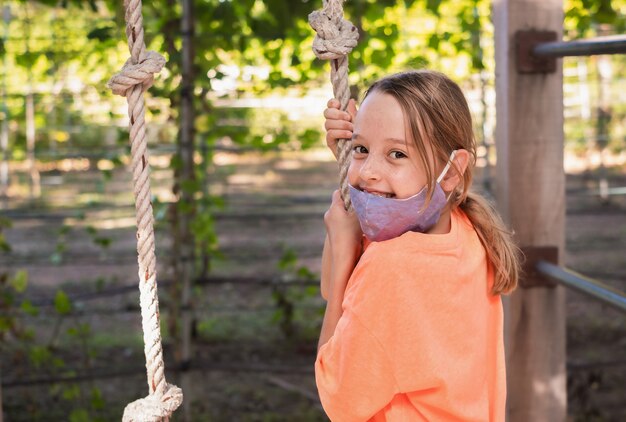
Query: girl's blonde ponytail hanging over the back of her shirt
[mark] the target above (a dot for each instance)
(502, 253)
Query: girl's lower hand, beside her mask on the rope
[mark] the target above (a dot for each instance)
(344, 231)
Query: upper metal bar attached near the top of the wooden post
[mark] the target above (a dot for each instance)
(614, 44)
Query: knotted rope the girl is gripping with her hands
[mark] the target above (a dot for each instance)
(335, 39)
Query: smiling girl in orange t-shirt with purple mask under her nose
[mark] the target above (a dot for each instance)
(413, 276)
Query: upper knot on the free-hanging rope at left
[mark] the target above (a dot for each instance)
(141, 73)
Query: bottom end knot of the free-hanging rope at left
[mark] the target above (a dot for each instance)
(154, 408)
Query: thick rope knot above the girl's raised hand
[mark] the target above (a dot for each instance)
(336, 37)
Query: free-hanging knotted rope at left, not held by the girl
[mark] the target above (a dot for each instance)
(137, 76)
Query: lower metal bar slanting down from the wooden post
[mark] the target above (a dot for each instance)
(596, 289)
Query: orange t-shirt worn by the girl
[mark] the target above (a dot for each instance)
(420, 338)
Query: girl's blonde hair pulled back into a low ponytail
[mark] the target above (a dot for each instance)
(440, 122)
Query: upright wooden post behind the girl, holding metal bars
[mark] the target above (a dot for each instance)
(531, 197)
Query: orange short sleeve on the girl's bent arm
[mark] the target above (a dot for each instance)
(353, 374)
